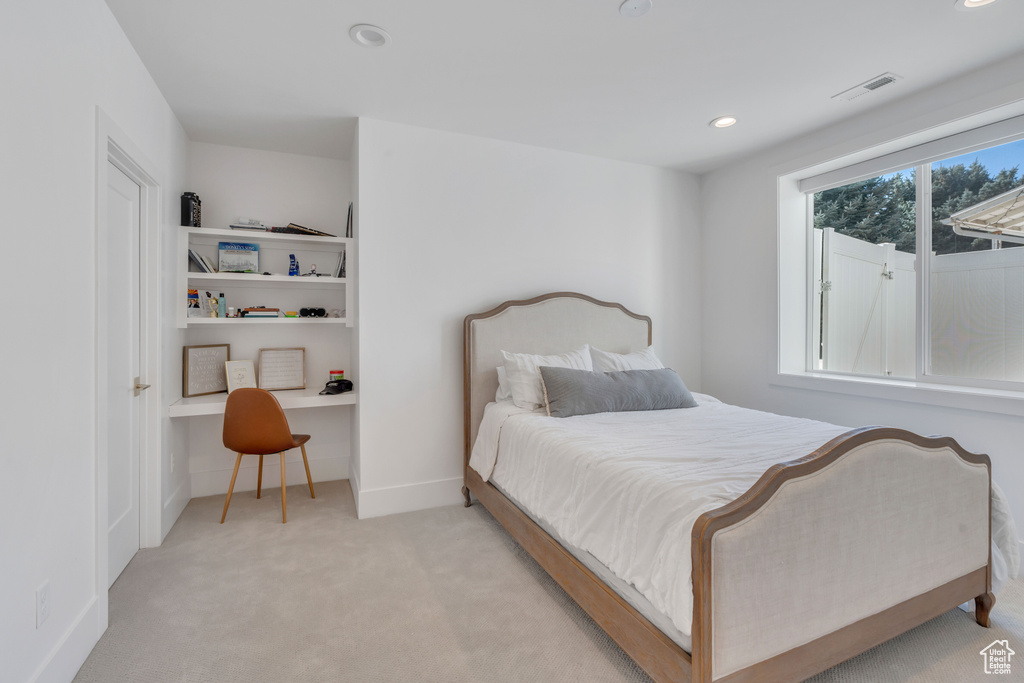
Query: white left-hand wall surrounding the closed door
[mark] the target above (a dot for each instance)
(62, 60)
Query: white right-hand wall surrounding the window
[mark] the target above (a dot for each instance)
(741, 302)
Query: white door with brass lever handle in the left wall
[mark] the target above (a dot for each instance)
(122, 350)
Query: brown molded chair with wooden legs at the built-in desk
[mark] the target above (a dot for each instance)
(255, 424)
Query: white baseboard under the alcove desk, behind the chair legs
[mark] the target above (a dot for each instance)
(216, 483)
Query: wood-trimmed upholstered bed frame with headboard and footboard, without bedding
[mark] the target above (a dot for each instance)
(748, 624)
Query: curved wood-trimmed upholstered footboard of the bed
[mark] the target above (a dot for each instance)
(874, 534)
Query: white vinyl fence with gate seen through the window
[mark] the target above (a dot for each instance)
(866, 301)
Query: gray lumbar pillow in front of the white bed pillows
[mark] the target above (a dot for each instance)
(570, 392)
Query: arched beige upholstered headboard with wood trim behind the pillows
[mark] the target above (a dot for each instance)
(548, 324)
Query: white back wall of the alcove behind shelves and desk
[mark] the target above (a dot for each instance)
(277, 189)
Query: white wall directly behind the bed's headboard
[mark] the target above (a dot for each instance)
(452, 225)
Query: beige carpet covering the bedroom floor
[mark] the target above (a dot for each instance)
(441, 595)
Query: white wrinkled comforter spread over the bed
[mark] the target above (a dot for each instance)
(628, 487)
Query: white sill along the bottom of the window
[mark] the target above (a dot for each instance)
(969, 399)
